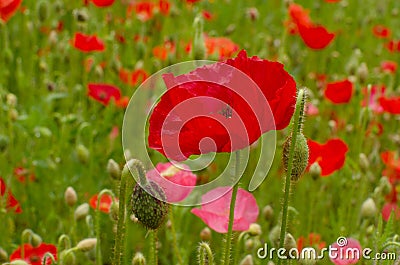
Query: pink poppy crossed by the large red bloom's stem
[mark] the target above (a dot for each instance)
(216, 213)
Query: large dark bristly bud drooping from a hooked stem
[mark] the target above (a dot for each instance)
(146, 206)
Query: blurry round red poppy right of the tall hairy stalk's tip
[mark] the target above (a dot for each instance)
(339, 92)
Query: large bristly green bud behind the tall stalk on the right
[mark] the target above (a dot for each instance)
(300, 157)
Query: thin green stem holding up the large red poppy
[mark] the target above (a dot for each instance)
(228, 238)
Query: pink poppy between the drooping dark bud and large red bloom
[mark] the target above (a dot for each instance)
(177, 182)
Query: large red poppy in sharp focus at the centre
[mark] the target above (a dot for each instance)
(216, 102)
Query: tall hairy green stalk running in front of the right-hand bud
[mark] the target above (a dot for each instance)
(297, 123)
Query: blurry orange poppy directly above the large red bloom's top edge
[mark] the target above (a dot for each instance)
(222, 46)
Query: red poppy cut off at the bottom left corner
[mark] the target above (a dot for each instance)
(34, 255)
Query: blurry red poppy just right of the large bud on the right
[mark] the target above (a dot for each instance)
(330, 156)
